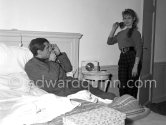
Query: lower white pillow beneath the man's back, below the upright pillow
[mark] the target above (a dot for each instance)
(17, 84)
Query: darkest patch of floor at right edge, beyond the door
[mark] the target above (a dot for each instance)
(158, 107)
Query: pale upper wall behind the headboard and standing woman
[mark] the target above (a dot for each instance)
(92, 18)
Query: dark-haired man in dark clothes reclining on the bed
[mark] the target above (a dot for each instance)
(48, 68)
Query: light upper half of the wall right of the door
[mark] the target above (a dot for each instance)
(160, 34)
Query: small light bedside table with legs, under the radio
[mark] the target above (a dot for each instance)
(99, 79)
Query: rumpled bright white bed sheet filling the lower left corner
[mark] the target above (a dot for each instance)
(22, 103)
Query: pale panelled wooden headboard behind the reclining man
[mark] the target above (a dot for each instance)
(67, 42)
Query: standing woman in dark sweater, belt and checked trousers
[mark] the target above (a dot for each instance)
(130, 45)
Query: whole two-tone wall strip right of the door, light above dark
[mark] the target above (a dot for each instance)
(158, 92)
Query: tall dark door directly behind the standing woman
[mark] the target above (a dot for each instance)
(148, 34)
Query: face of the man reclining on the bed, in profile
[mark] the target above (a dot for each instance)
(45, 54)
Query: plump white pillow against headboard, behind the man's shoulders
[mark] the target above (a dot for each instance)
(13, 58)
